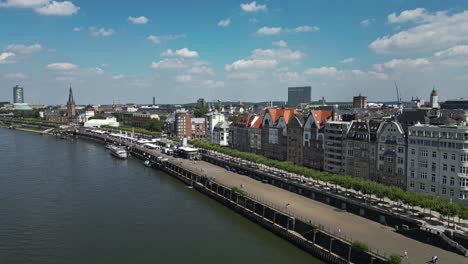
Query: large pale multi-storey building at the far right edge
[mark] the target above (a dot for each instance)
(438, 161)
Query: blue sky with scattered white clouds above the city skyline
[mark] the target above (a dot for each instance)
(234, 50)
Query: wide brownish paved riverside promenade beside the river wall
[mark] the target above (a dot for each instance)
(379, 237)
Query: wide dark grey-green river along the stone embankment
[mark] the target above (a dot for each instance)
(70, 201)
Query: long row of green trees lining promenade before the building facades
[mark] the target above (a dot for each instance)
(443, 206)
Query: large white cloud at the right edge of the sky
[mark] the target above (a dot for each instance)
(435, 31)
